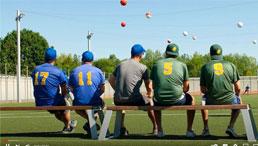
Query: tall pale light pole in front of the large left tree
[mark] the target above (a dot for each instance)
(18, 73)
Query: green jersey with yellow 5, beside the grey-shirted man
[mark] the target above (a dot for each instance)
(168, 75)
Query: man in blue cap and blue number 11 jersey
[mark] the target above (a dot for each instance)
(87, 84)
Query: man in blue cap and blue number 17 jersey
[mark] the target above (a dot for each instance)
(47, 80)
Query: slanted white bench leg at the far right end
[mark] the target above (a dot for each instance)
(249, 123)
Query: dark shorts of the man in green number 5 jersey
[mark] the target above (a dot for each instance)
(186, 99)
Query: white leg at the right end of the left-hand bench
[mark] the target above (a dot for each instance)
(93, 127)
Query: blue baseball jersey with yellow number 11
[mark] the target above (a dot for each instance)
(86, 81)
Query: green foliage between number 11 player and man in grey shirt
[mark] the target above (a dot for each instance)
(107, 65)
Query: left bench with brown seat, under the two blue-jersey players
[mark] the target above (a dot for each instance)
(89, 109)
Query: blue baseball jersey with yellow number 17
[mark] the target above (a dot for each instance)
(47, 80)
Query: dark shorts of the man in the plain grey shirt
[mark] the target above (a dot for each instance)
(137, 101)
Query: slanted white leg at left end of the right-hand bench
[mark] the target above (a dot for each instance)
(105, 125)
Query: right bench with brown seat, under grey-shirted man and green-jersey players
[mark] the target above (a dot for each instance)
(249, 122)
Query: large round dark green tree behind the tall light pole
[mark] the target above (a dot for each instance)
(33, 46)
